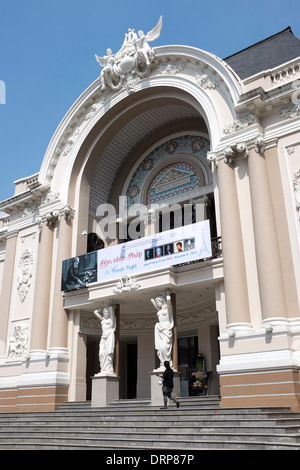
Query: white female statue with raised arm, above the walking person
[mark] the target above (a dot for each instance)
(163, 332)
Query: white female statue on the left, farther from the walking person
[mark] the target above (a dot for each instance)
(107, 342)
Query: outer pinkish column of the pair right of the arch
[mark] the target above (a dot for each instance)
(266, 242)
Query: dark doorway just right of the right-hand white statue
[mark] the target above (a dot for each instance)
(187, 352)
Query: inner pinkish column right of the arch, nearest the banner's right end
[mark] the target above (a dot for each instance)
(236, 292)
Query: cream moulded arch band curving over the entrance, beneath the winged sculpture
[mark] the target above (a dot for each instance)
(196, 77)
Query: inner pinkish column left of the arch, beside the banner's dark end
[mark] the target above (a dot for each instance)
(59, 321)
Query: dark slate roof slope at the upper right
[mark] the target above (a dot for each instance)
(267, 54)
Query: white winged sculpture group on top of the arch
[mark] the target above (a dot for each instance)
(132, 62)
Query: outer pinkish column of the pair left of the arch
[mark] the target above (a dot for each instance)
(41, 305)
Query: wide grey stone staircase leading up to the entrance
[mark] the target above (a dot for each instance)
(199, 424)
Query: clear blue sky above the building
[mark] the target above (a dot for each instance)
(48, 47)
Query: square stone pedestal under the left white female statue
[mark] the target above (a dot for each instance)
(105, 388)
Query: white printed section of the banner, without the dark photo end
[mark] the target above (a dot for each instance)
(181, 245)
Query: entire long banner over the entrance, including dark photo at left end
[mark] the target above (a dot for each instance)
(181, 245)
